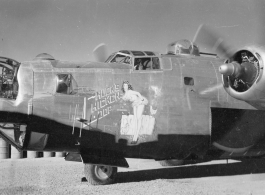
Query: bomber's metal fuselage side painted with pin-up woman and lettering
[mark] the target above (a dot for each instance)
(176, 118)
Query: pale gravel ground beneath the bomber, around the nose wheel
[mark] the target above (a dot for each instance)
(56, 176)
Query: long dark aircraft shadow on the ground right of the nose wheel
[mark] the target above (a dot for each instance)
(194, 171)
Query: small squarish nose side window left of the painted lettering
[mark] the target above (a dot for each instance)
(66, 84)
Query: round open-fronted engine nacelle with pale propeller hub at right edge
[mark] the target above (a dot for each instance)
(243, 76)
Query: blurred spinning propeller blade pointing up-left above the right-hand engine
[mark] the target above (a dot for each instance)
(208, 37)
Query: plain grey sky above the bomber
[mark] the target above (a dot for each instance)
(71, 29)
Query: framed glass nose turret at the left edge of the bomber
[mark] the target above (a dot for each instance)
(8, 78)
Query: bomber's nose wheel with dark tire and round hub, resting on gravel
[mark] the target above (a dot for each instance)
(100, 174)
